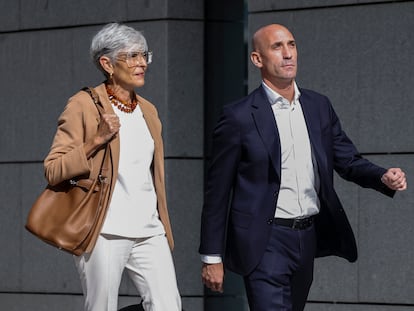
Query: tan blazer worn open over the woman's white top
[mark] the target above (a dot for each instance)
(78, 124)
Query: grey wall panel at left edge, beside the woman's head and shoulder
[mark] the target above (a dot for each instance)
(37, 69)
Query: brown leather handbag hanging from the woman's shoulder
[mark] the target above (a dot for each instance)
(66, 215)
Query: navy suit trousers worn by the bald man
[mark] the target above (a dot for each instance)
(282, 280)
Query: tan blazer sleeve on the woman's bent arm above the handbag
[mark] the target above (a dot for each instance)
(67, 158)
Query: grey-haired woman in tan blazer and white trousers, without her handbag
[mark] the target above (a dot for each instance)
(136, 232)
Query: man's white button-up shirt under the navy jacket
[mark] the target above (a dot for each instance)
(298, 196)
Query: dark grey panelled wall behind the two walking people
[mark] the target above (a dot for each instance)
(356, 52)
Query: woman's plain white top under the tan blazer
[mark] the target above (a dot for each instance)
(133, 209)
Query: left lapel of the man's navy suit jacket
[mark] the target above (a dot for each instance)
(265, 122)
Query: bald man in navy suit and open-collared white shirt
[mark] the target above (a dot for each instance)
(274, 153)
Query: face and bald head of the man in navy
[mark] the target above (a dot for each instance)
(276, 54)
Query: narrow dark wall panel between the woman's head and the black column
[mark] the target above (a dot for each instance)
(184, 124)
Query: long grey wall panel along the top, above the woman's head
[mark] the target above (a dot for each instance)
(38, 14)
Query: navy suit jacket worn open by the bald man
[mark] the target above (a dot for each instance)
(243, 180)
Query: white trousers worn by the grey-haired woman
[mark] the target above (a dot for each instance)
(149, 265)
